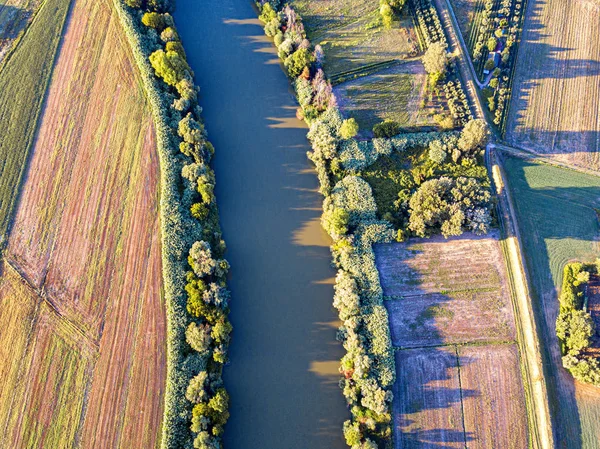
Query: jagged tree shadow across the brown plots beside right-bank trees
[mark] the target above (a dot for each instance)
(428, 397)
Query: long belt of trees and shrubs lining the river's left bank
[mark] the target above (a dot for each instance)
(194, 271)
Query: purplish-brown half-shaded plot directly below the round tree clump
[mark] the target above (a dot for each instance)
(446, 291)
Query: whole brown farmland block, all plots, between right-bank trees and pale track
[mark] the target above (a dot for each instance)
(459, 381)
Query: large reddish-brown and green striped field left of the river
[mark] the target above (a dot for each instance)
(92, 254)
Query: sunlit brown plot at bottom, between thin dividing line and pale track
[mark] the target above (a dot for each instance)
(496, 416)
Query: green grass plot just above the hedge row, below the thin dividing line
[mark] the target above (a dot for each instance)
(392, 94)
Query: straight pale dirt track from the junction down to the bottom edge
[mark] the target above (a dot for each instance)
(525, 317)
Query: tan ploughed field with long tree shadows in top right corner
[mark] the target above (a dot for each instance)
(555, 107)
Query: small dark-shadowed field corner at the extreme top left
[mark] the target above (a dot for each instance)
(15, 16)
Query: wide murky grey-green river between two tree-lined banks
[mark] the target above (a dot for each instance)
(283, 378)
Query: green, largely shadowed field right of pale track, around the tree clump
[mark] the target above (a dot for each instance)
(556, 214)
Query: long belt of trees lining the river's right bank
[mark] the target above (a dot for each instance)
(349, 216)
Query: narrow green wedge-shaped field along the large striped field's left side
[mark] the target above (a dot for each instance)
(23, 82)
